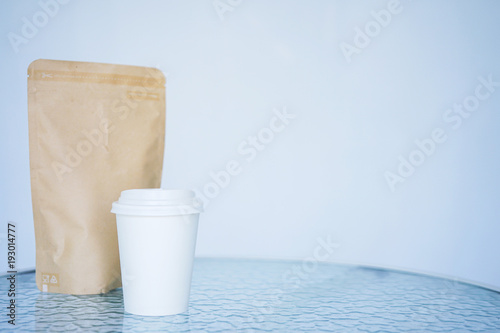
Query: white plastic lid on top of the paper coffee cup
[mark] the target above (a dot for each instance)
(156, 202)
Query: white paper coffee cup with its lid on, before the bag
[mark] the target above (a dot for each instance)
(156, 237)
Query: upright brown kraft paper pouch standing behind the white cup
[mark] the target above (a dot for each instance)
(94, 130)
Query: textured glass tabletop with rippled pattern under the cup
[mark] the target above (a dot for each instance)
(274, 296)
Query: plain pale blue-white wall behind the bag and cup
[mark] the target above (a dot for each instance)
(323, 175)
